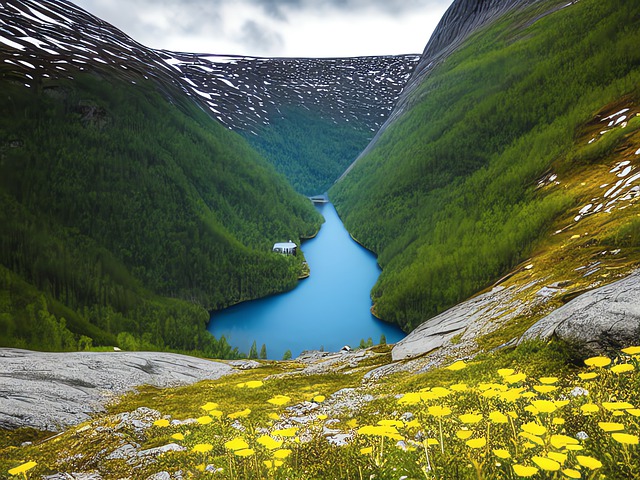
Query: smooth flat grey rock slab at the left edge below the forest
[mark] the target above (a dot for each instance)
(50, 391)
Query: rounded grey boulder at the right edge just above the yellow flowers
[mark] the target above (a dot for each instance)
(603, 319)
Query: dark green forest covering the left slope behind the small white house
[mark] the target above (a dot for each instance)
(125, 218)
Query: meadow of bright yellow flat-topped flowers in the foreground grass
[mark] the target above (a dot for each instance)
(474, 419)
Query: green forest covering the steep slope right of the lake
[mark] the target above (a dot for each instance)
(448, 195)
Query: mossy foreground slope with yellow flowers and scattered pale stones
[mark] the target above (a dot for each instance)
(533, 411)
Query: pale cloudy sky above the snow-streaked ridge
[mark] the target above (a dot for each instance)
(276, 28)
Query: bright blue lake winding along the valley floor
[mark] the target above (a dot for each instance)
(329, 309)
